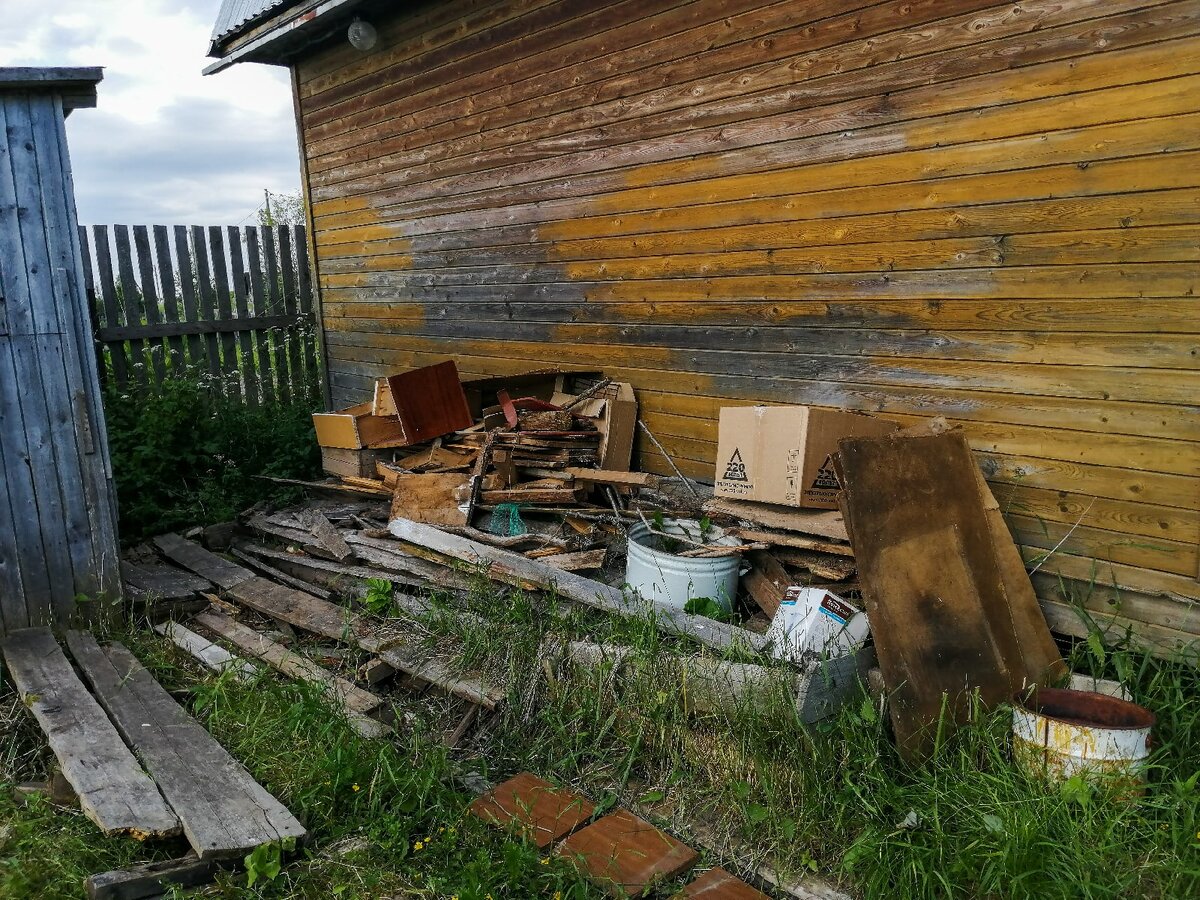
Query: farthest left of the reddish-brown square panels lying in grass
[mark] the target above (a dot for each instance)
(542, 813)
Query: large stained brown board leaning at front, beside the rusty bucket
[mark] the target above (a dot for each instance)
(932, 584)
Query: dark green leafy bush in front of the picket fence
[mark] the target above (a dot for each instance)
(184, 454)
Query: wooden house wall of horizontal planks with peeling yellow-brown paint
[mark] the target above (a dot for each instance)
(987, 212)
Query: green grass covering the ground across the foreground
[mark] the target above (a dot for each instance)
(832, 800)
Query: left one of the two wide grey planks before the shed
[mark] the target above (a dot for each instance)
(113, 790)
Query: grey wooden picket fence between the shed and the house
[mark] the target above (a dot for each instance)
(230, 304)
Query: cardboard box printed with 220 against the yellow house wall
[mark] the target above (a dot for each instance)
(784, 455)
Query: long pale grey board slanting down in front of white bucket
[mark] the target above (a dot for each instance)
(515, 569)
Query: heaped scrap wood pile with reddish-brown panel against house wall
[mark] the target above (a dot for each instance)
(491, 452)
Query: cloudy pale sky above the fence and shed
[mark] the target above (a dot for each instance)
(165, 146)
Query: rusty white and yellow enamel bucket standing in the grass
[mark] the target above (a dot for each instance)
(1064, 733)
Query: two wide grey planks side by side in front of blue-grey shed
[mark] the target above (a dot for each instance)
(140, 764)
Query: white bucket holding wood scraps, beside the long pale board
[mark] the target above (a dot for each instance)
(673, 580)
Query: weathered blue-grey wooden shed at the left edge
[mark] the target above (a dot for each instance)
(58, 509)
